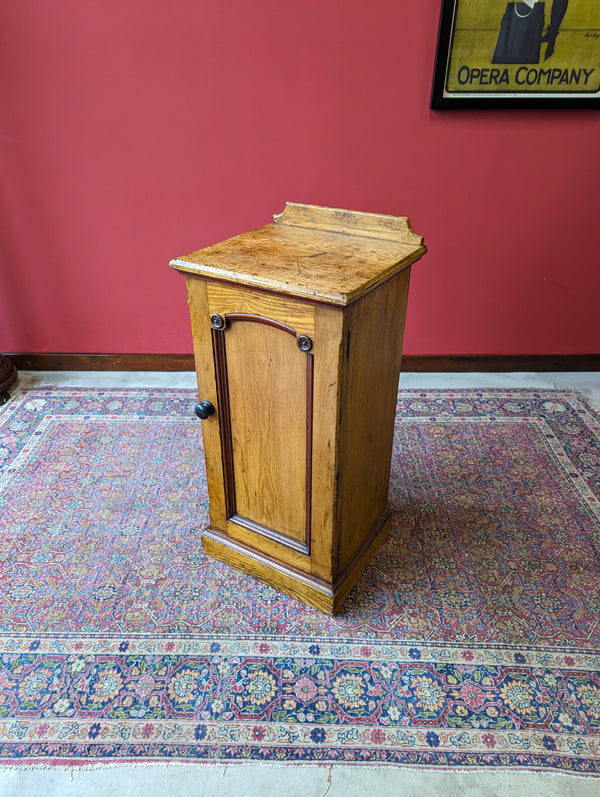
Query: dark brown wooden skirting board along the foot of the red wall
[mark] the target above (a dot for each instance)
(411, 362)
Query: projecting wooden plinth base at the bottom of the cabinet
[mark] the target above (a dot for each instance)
(315, 592)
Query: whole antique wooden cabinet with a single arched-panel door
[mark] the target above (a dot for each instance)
(297, 330)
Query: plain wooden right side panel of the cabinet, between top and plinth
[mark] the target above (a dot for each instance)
(372, 354)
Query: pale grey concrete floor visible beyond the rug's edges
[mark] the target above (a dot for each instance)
(252, 780)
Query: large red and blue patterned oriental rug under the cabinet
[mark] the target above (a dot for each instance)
(472, 640)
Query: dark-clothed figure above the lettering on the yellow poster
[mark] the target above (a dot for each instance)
(521, 31)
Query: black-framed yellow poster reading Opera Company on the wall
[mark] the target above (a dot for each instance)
(530, 54)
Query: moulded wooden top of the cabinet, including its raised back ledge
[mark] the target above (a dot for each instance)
(322, 254)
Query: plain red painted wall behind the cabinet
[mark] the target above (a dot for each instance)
(133, 131)
